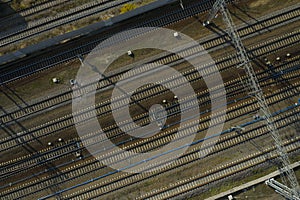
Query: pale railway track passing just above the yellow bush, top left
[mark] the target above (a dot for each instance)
(45, 24)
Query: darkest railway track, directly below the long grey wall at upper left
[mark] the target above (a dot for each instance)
(84, 47)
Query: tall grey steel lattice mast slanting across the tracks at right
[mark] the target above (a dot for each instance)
(252, 85)
